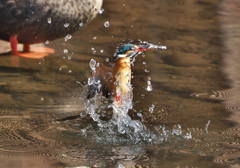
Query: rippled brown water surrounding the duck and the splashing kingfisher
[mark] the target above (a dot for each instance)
(40, 105)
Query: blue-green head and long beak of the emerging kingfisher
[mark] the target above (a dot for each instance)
(129, 50)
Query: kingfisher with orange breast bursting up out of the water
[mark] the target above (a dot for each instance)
(115, 82)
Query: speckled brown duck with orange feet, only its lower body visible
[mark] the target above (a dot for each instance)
(37, 21)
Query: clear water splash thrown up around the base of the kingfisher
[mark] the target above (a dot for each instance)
(120, 128)
